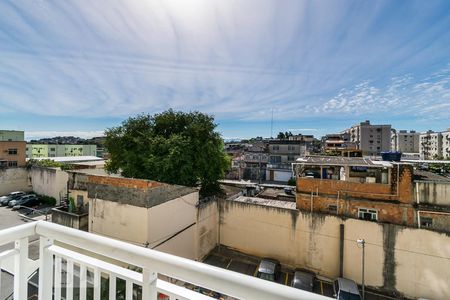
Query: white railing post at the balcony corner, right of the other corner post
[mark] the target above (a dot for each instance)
(45, 269)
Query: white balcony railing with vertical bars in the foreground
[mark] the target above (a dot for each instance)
(72, 260)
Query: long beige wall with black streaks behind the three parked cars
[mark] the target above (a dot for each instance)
(415, 262)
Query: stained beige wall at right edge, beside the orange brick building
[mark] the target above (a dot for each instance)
(432, 192)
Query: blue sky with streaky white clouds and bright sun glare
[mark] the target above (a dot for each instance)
(78, 67)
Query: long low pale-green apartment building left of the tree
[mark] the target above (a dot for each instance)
(52, 150)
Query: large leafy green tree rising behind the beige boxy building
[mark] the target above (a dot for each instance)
(173, 147)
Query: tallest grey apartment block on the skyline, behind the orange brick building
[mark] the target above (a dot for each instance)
(370, 139)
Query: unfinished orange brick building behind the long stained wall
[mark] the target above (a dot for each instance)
(356, 188)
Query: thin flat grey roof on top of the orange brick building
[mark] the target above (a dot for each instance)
(342, 161)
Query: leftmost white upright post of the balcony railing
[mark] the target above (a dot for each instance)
(20, 270)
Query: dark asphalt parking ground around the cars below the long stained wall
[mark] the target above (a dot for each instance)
(246, 264)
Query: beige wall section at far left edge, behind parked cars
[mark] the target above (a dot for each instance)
(14, 179)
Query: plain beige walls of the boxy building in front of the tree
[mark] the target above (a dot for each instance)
(169, 227)
